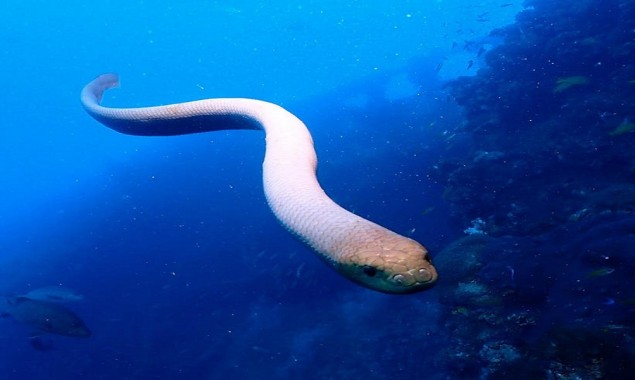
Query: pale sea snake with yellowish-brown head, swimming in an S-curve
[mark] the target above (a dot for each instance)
(362, 251)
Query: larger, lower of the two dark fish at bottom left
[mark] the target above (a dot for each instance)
(46, 317)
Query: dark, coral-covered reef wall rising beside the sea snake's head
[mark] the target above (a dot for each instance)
(540, 286)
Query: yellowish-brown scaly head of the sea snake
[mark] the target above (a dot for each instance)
(397, 266)
